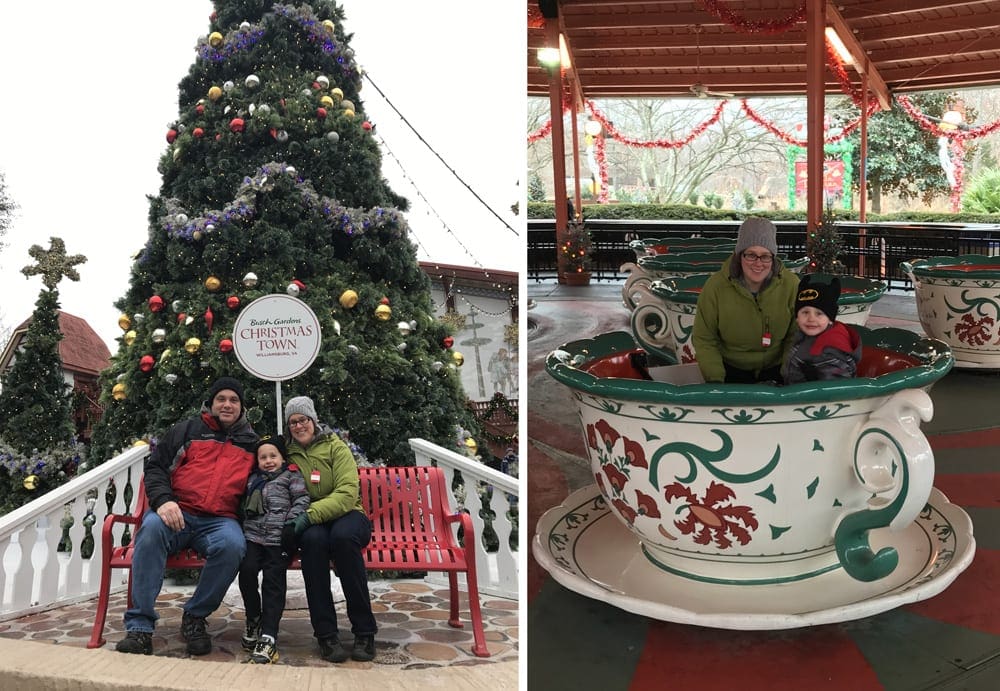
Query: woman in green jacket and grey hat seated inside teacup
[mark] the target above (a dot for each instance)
(745, 319)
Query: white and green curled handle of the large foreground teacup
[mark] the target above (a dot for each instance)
(891, 435)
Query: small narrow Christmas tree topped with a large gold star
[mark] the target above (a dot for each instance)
(37, 447)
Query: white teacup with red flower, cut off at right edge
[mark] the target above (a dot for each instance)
(958, 301)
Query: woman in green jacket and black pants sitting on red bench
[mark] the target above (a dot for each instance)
(335, 527)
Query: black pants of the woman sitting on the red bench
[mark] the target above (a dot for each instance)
(340, 540)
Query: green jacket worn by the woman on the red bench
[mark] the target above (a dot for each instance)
(337, 491)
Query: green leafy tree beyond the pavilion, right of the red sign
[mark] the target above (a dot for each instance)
(902, 158)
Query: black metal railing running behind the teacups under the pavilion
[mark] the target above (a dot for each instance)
(871, 250)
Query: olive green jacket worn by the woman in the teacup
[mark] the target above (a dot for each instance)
(730, 323)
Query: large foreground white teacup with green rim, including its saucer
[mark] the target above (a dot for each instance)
(753, 506)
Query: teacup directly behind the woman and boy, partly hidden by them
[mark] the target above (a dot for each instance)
(663, 319)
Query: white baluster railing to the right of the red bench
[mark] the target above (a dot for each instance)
(497, 571)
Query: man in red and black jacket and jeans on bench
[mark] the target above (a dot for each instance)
(194, 480)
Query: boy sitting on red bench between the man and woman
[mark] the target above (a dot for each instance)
(276, 494)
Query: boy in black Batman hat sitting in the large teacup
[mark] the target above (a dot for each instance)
(823, 348)
